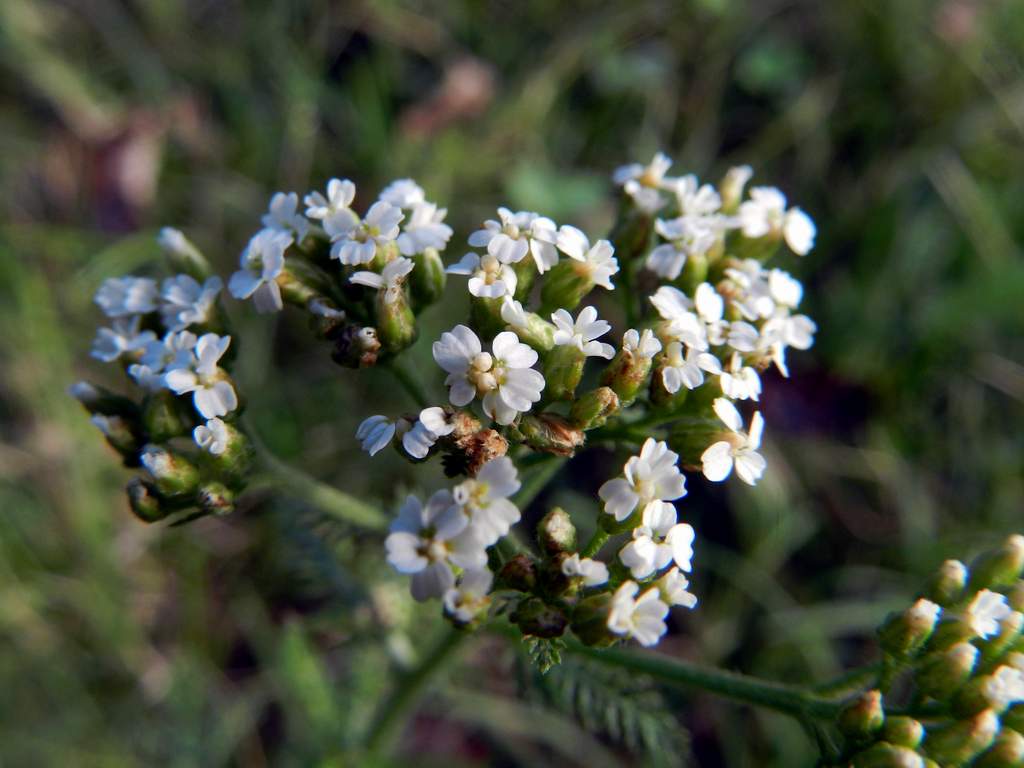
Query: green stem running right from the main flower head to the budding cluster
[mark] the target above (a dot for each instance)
(785, 699)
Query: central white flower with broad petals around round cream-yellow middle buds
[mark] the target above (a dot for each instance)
(504, 380)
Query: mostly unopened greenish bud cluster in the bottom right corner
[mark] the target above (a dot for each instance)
(952, 688)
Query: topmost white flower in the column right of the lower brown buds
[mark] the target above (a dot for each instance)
(652, 477)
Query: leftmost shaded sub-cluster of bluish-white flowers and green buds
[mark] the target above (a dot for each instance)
(169, 337)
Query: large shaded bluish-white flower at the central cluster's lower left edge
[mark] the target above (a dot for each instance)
(425, 541)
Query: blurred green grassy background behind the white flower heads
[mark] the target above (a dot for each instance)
(255, 639)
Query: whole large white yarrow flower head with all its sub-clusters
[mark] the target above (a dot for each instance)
(531, 370)
